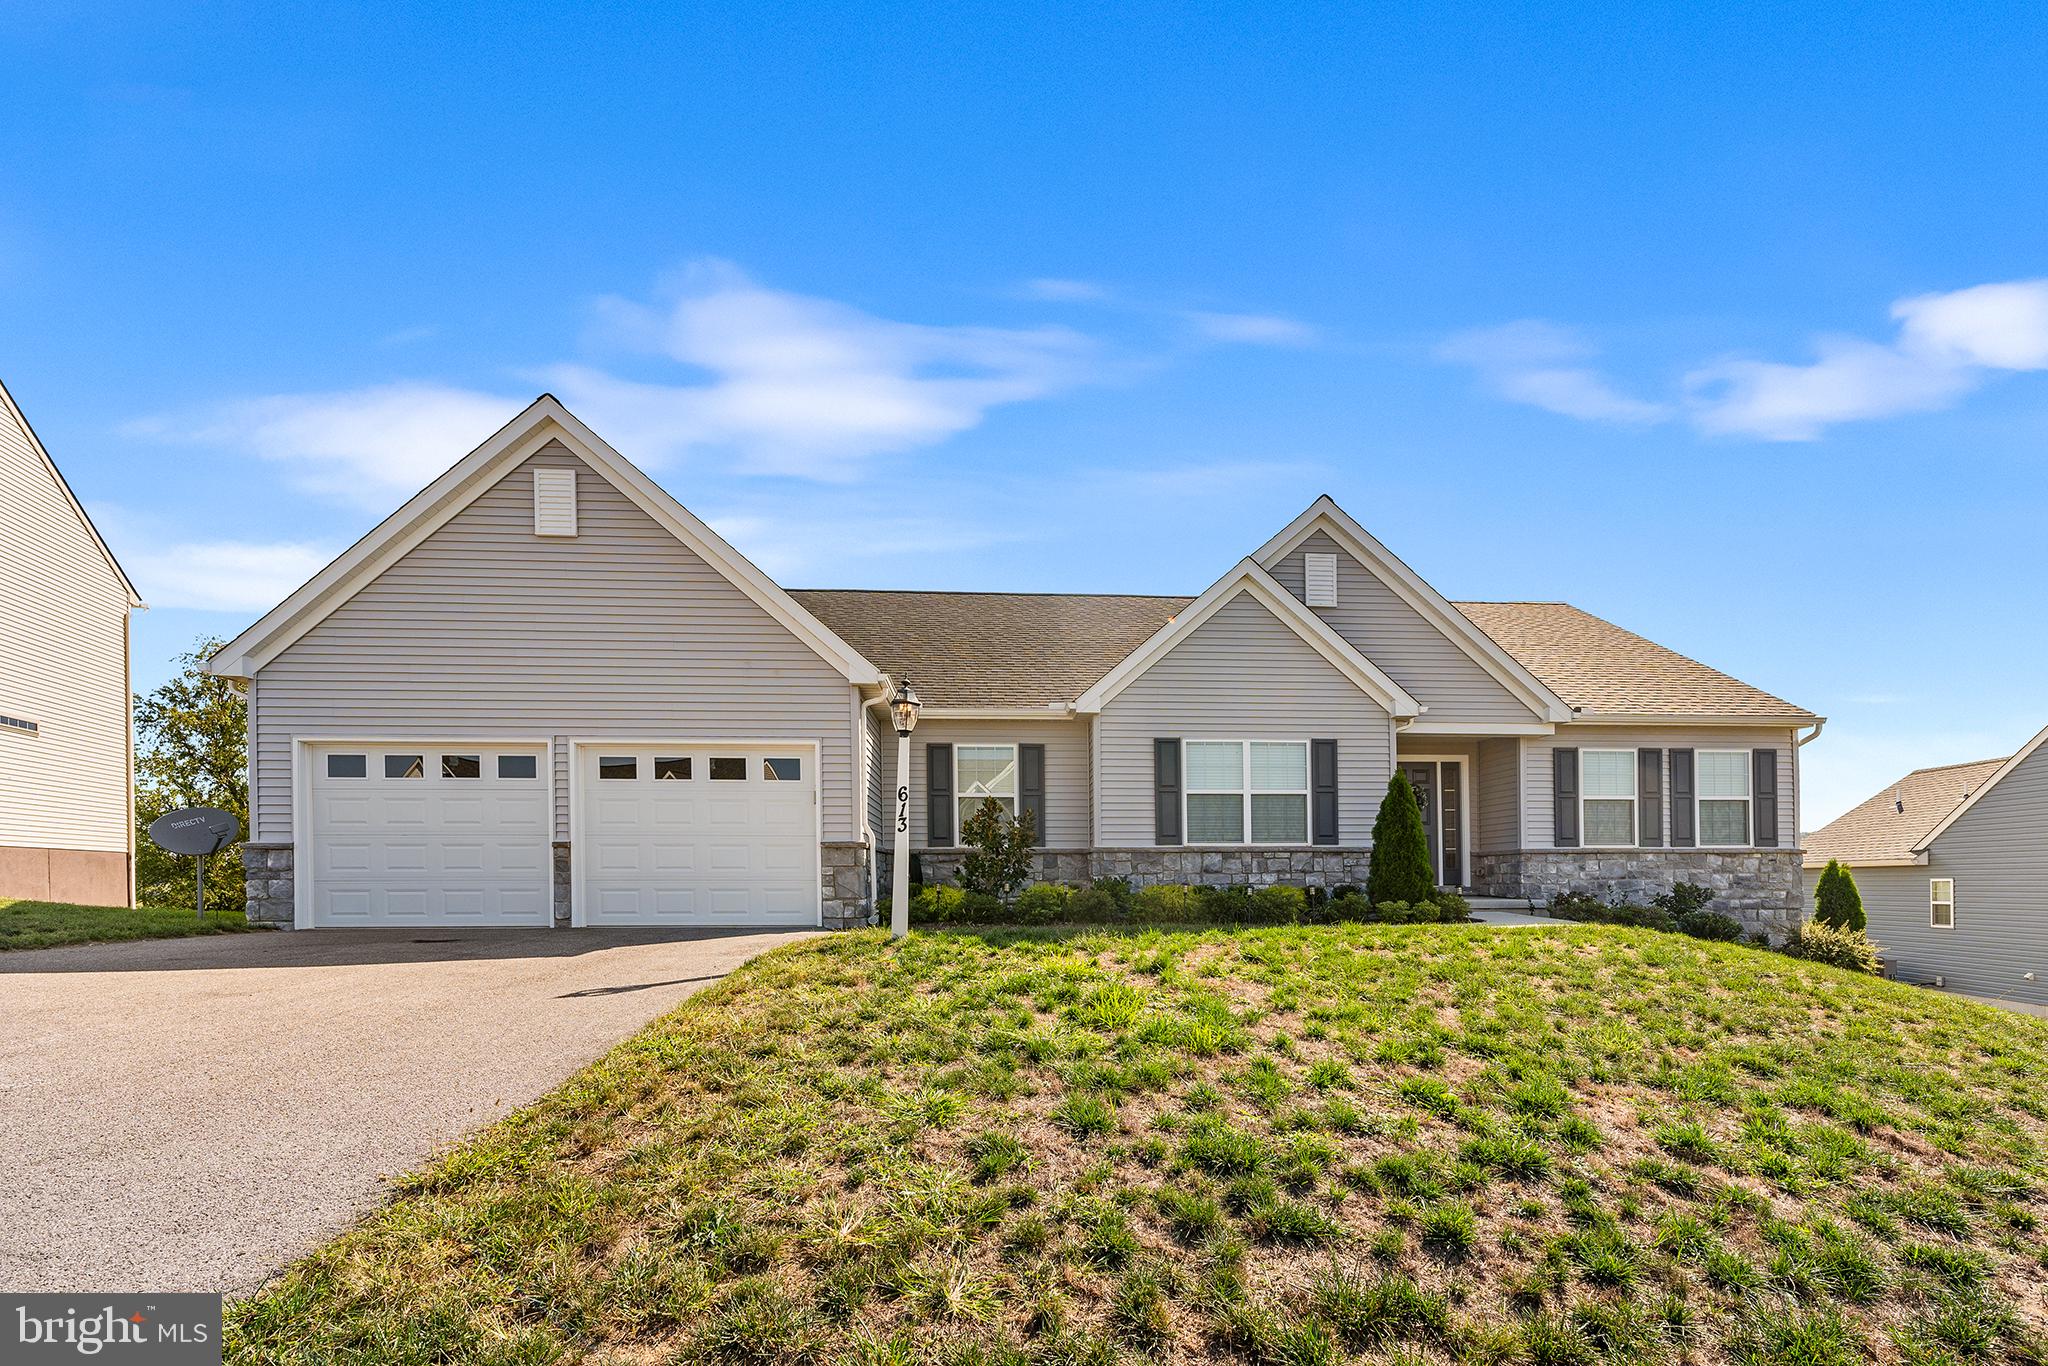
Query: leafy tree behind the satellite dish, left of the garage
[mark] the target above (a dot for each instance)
(191, 751)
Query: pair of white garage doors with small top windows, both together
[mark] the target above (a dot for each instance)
(462, 835)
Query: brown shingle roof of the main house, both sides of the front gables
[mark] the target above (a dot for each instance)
(1035, 650)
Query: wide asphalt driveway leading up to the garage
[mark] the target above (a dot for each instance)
(189, 1115)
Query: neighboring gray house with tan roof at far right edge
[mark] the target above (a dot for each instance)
(1955, 873)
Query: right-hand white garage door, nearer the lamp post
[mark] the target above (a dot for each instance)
(693, 835)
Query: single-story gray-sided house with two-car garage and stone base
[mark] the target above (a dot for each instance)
(546, 693)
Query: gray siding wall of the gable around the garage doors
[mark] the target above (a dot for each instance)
(490, 632)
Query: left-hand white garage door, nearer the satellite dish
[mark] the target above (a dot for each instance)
(429, 835)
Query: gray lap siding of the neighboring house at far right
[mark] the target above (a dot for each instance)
(1998, 855)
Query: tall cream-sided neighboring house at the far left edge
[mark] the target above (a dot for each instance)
(67, 763)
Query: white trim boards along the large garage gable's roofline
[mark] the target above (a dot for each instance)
(542, 423)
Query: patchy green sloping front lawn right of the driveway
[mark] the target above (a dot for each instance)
(1285, 1146)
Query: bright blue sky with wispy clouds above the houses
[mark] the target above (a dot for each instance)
(1723, 325)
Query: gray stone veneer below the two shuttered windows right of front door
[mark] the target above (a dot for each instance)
(1760, 888)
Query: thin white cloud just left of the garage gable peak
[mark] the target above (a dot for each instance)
(361, 445)
